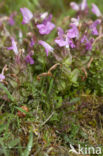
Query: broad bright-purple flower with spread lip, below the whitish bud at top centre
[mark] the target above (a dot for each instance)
(46, 27)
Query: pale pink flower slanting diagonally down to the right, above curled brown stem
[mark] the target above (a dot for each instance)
(47, 47)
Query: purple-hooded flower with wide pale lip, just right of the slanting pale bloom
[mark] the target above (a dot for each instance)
(61, 40)
